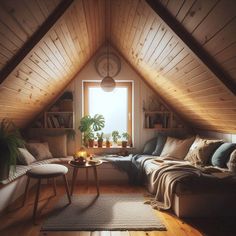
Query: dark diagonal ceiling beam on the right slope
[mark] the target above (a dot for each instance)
(196, 48)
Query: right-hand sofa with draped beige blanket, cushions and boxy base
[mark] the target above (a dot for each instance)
(209, 191)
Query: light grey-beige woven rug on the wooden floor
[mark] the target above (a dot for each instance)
(106, 212)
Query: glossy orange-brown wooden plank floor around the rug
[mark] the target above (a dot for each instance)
(17, 221)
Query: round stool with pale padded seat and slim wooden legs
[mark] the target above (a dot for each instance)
(45, 171)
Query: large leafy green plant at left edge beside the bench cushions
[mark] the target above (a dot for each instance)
(10, 140)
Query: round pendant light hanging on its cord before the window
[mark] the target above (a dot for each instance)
(108, 84)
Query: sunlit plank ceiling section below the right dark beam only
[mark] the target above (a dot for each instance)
(172, 68)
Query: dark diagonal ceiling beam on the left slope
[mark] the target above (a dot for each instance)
(36, 37)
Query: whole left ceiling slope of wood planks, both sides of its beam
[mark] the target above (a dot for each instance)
(54, 61)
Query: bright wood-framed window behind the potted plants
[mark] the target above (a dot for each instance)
(115, 106)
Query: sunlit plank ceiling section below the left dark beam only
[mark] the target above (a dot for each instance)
(52, 63)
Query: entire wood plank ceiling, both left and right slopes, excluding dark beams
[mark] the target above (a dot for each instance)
(144, 40)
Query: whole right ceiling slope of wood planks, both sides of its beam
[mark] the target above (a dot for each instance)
(168, 64)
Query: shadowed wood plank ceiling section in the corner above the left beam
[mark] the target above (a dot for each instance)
(19, 20)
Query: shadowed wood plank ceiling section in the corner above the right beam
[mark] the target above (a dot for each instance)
(212, 23)
